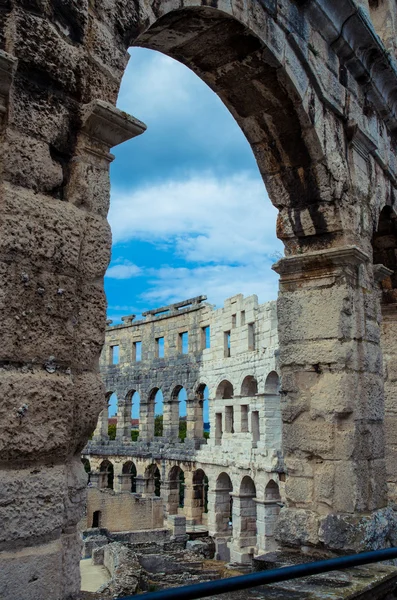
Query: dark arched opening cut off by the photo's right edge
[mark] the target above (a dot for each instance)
(384, 245)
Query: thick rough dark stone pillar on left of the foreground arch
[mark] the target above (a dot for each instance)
(55, 247)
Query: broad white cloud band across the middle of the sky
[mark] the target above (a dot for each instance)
(207, 220)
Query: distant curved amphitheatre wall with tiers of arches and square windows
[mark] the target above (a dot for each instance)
(231, 483)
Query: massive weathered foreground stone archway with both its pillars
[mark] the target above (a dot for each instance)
(312, 85)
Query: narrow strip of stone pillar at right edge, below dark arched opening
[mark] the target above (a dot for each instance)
(389, 348)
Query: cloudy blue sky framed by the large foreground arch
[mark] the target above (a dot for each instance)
(189, 211)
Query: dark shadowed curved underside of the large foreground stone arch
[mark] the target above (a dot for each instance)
(270, 114)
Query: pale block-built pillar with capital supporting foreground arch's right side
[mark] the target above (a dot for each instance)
(332, 399)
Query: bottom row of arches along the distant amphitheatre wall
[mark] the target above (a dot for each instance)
(231, 511)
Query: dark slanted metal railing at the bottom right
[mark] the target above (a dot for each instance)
(242, 582)
